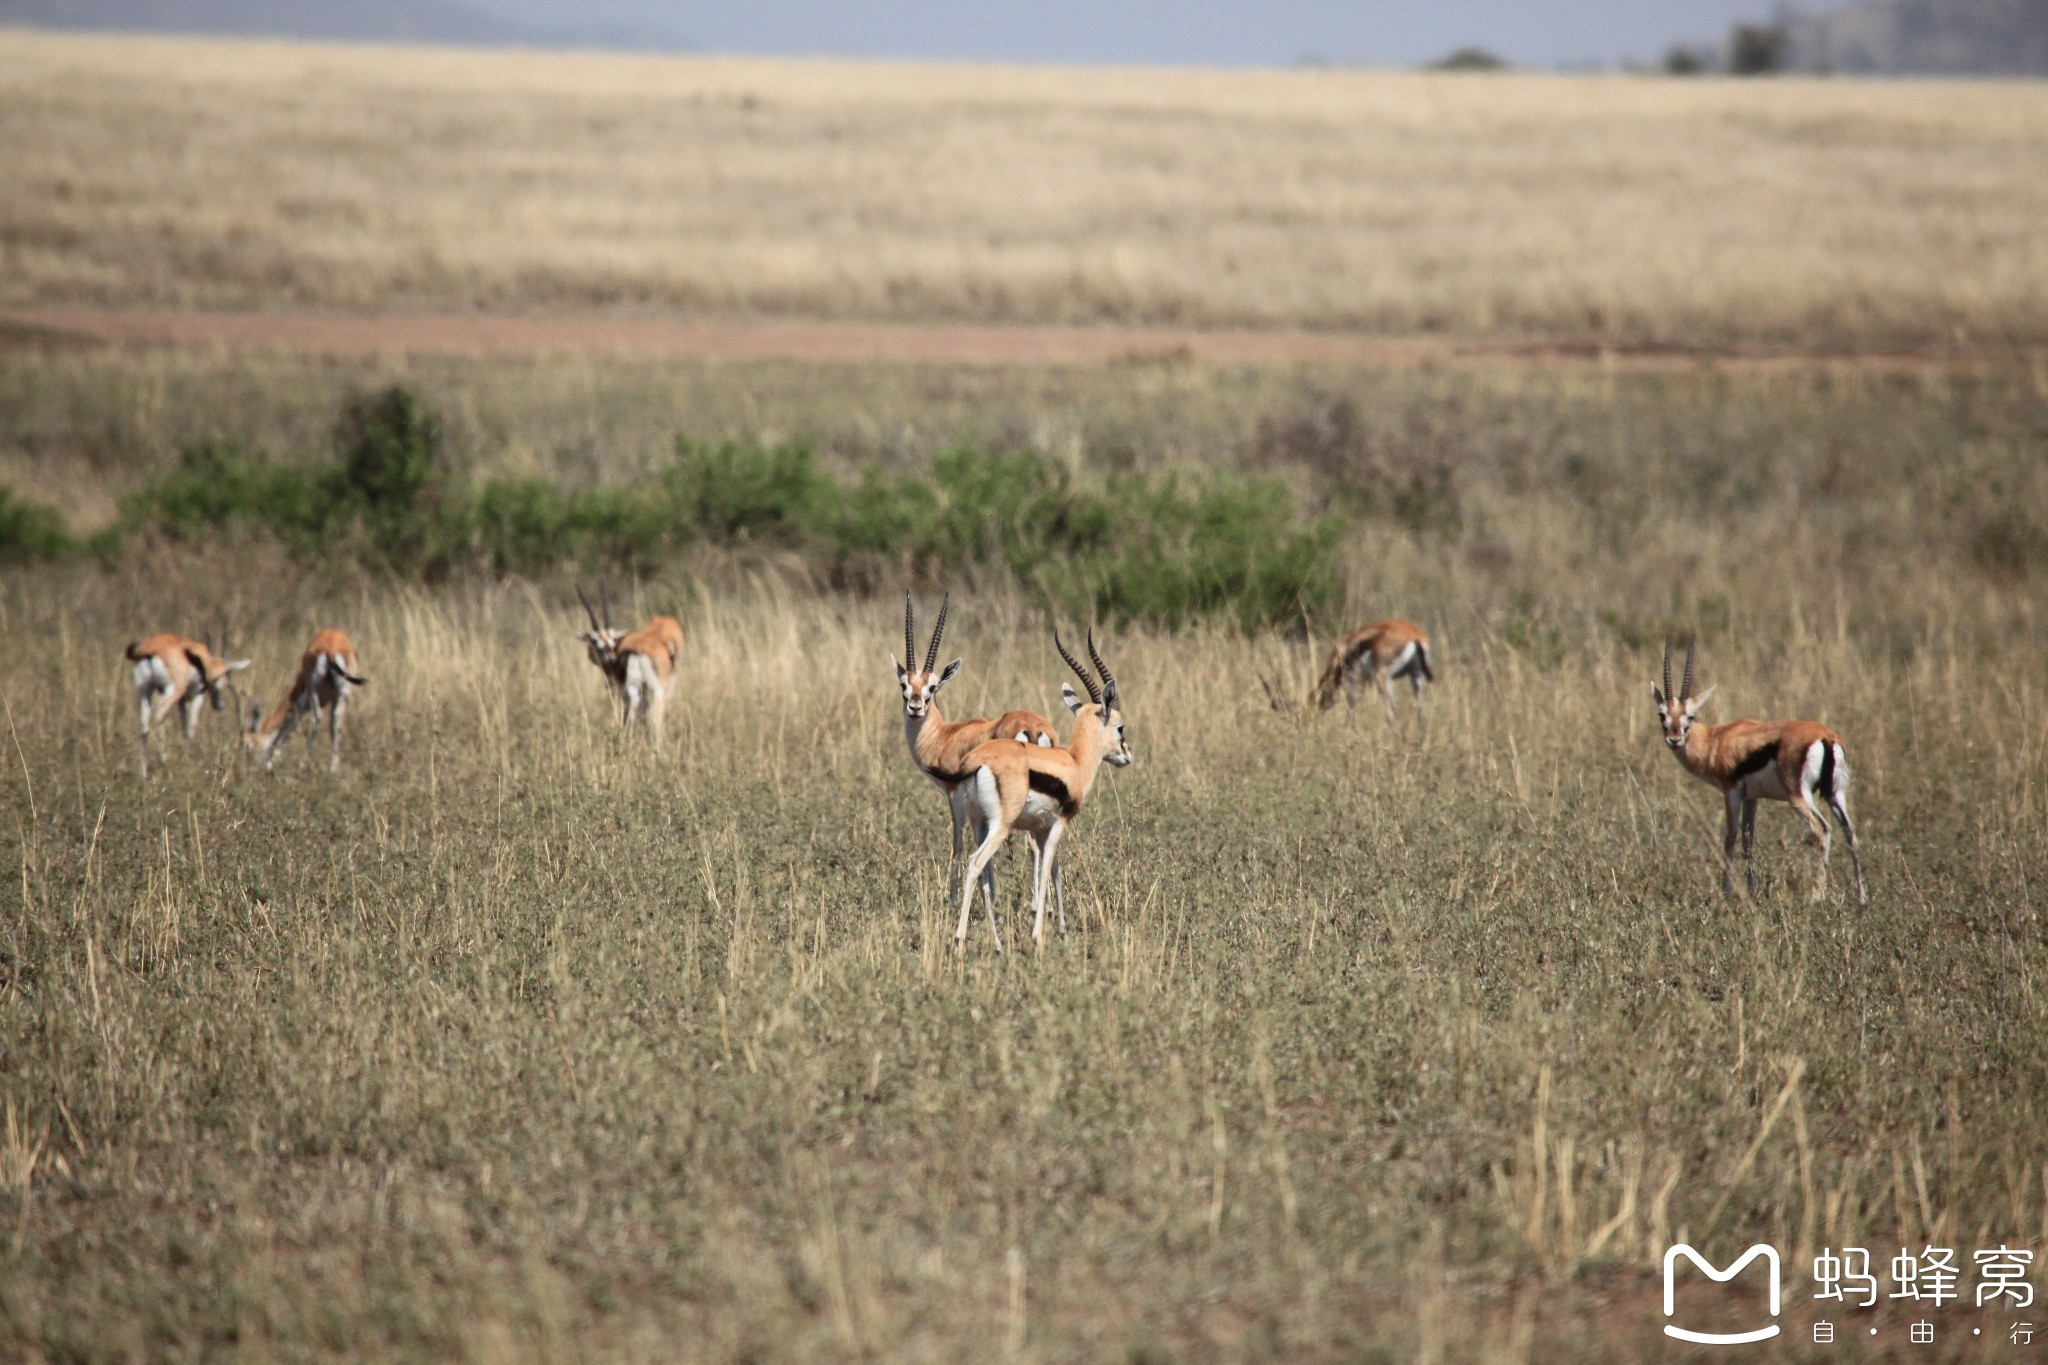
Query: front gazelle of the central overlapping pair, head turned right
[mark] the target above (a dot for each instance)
(1041, 791)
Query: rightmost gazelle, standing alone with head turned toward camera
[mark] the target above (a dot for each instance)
(1797, 762)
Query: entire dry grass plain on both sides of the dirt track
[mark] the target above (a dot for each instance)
(521, 1041)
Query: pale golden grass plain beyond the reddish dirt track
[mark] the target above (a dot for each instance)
(230, 175)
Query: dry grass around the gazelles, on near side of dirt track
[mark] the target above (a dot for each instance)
(519, 1043)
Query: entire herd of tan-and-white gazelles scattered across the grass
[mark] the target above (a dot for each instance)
(1013, 775)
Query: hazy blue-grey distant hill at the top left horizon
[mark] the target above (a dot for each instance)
(398, 21)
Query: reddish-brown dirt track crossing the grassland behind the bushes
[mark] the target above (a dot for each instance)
(923, 343)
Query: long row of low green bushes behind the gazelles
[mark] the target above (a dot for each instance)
(1152, 547)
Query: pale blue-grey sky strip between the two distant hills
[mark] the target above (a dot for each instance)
(1162, 32)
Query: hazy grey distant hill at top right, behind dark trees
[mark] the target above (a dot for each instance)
(1924, 38)
